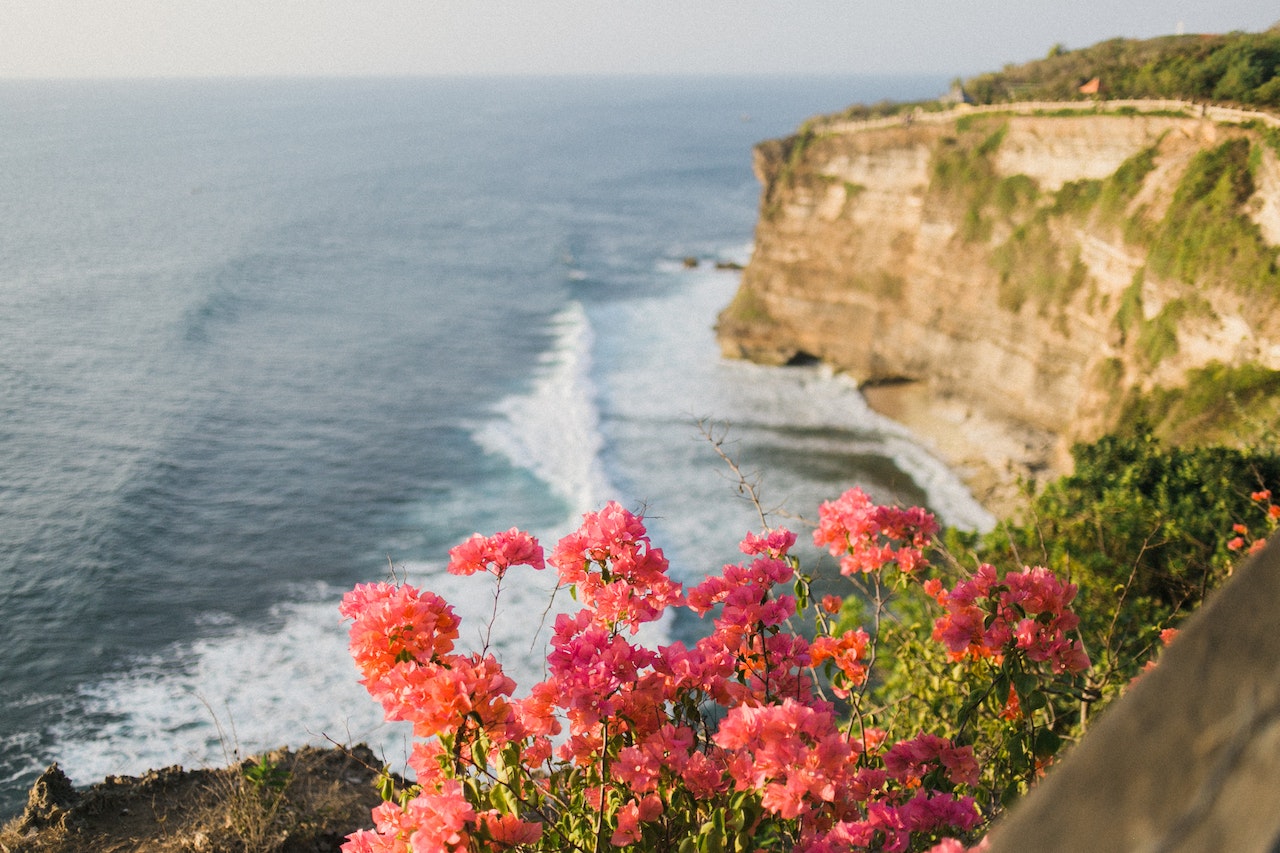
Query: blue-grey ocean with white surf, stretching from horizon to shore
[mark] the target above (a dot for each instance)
(264, 340)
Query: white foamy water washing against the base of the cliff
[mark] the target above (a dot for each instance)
(664, 372)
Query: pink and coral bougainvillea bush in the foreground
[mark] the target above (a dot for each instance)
(775, 732)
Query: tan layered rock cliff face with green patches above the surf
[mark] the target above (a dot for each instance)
(1026, 276)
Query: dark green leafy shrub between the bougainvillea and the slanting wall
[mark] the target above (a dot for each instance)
(1140, 527)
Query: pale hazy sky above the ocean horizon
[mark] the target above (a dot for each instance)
(63, 39)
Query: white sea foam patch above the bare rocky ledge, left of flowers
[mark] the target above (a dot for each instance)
(287, 682)
